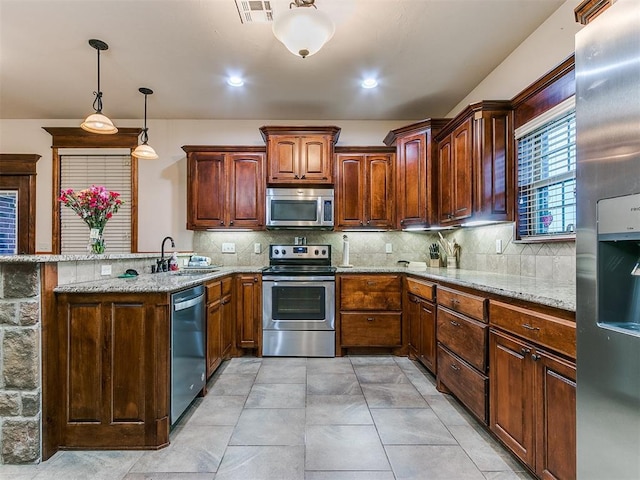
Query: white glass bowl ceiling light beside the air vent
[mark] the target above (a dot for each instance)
(303, 30)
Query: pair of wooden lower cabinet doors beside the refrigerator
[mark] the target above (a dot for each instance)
(533, 405)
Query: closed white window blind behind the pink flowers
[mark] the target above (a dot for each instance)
(114, 173)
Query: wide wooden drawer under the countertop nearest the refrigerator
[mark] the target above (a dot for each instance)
(552, 332)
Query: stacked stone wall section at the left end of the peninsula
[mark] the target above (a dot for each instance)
(20, 386)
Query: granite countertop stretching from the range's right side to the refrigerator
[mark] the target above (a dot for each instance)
(530, 289)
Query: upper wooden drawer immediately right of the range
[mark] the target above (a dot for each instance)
(370, 292)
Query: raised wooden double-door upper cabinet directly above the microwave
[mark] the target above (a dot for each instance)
(300, 155)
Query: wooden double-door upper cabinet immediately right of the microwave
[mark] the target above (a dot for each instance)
(364, 188)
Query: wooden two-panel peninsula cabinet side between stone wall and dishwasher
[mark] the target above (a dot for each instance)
(114, 360)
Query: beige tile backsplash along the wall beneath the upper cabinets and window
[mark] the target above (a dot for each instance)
(478, 249)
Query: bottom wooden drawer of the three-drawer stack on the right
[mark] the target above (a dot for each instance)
(469, 386)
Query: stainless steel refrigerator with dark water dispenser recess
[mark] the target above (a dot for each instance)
(608, 244)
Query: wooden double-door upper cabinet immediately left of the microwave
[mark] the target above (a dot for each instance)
(225, 187)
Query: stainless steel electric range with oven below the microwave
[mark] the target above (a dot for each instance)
(298, 302)
